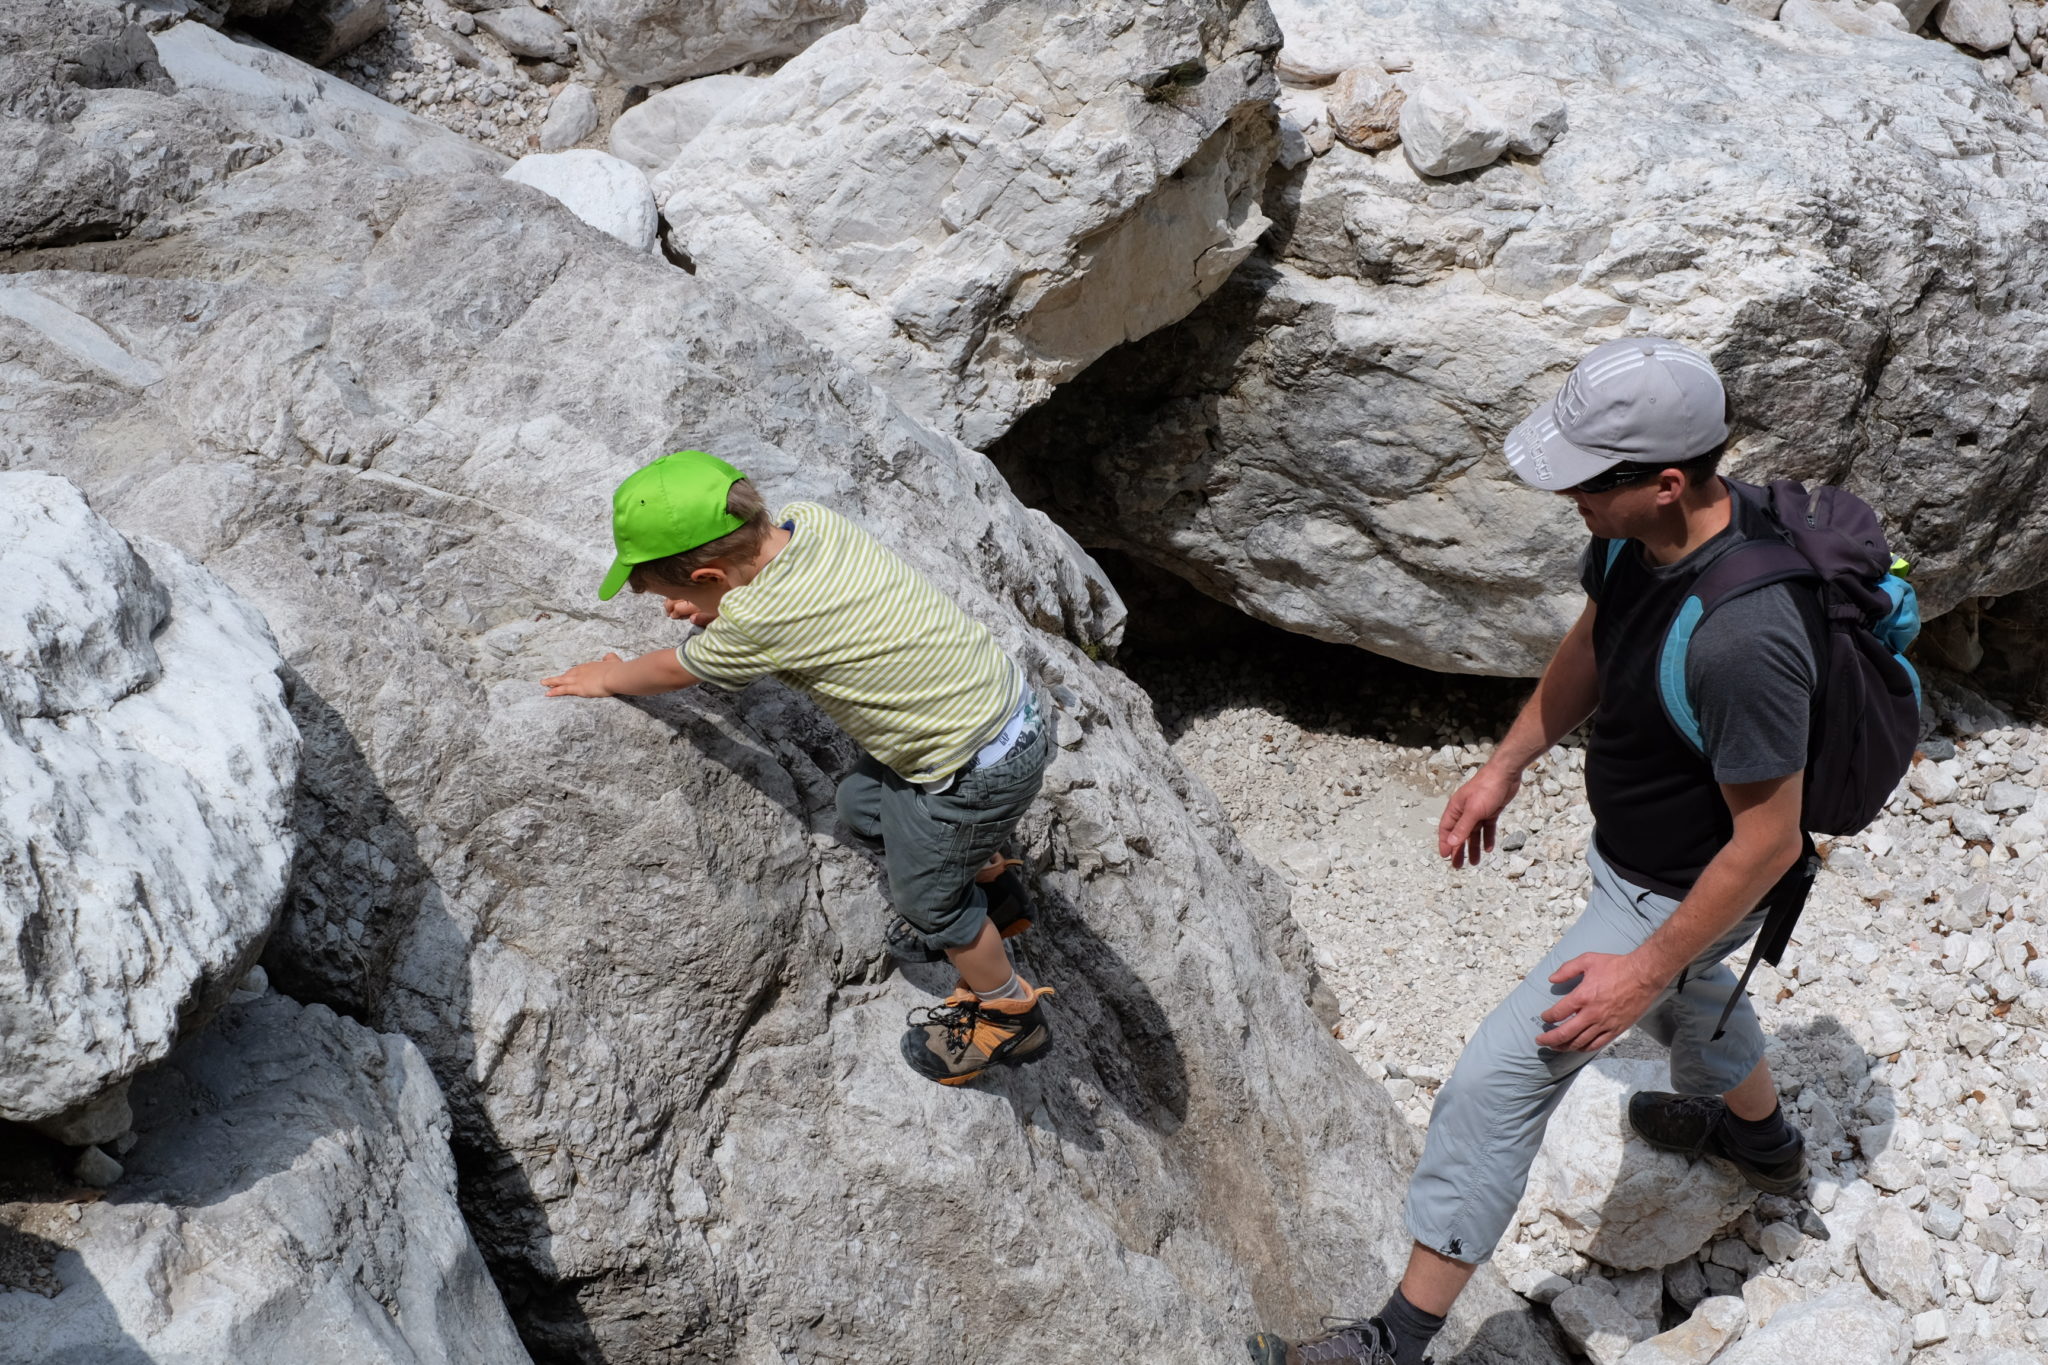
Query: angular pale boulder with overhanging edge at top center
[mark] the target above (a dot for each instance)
(974, 202)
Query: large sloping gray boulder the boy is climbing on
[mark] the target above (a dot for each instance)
(646, 973)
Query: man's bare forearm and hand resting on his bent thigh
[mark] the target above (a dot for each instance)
(1617, 989)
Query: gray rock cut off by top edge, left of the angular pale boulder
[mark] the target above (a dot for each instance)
(663, 42)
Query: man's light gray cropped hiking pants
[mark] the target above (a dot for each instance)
(1492, 1114)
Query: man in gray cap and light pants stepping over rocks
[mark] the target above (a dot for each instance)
(1687, 840)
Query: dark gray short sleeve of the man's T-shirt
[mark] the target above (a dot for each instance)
(1750, 668)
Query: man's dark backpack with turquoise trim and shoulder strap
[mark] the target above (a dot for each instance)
(1867, 705)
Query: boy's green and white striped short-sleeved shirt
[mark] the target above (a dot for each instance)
(890, 658)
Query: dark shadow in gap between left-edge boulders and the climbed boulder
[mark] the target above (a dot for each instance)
(359, 893)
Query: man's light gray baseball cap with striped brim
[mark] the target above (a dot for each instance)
(1641, 400)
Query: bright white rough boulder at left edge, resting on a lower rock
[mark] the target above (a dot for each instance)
(146, 781)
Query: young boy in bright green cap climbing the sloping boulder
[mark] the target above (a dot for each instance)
(955, 748)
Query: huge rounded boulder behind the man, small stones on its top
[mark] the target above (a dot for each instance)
(1850, 228)
